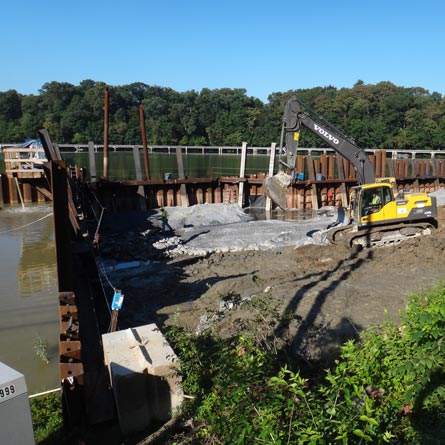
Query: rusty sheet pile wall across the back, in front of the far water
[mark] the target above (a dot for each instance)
(326, 178)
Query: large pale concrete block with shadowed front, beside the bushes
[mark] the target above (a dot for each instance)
(141, 366)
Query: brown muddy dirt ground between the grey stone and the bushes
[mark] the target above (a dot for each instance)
(332, 292)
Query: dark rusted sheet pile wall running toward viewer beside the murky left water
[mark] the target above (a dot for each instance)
(87, 399)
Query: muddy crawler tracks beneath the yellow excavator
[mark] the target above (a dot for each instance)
(379, 235)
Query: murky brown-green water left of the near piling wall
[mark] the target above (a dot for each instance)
(28, 293)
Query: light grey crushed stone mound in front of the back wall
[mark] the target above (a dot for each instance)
(202, 229)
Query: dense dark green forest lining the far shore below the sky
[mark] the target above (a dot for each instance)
(376, 116)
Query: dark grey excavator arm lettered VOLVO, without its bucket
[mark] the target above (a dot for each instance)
(297, 114)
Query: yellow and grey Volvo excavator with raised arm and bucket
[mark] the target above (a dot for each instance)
(377, 215)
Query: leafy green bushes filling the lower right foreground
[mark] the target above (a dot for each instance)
(387, 388)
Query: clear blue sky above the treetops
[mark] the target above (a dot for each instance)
(262, 46)
